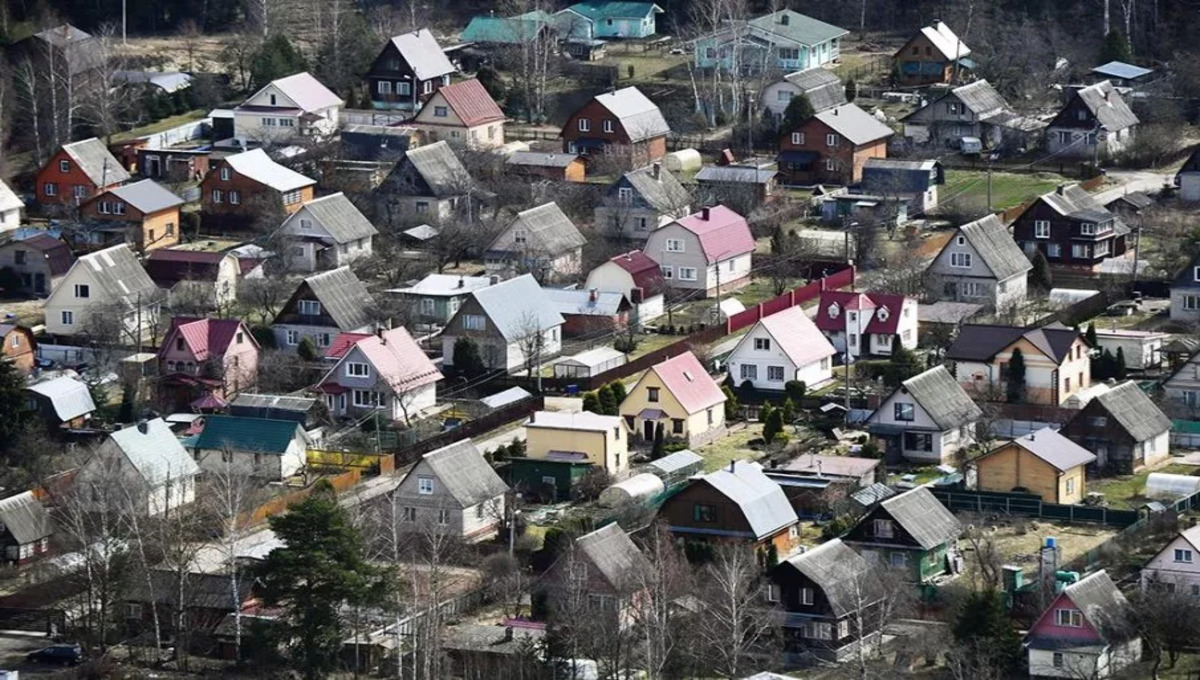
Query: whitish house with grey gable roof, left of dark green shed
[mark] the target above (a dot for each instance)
(455, 489)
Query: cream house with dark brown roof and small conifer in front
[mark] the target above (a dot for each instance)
(1057, 362)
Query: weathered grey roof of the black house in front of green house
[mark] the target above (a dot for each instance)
(842, 574)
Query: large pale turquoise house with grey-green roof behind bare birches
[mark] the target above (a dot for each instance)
(784, 40)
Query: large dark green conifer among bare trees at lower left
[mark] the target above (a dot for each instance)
(319, 570)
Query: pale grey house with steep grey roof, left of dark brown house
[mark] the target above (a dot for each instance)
(981, 263)
